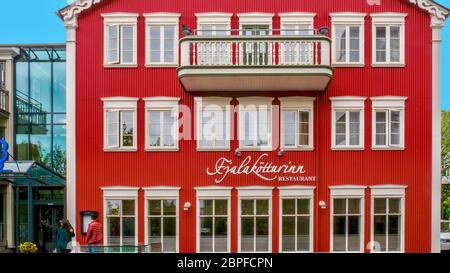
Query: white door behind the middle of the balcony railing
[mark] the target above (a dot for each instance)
(256, 52)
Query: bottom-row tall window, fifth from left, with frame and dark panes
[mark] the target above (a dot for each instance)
(296, 218)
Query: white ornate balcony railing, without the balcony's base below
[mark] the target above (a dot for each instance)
(250, 51)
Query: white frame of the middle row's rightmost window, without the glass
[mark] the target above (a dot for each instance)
(388, 104)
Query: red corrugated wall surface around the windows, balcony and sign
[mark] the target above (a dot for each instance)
(187, 168)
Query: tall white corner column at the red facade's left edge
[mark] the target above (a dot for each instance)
(71, 125)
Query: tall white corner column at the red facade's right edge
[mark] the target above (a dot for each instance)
(436, 141)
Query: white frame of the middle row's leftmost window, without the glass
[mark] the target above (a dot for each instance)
(119, 104)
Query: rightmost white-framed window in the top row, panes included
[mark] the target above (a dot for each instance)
(388, 34)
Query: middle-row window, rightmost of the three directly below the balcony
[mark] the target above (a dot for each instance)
(297, 119)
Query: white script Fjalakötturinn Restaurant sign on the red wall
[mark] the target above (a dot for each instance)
(260, 167)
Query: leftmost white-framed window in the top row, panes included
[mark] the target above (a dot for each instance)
(120, 39)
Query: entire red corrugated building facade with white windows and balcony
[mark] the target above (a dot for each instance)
(255, 126)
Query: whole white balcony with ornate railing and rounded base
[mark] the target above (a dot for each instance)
(255, 63)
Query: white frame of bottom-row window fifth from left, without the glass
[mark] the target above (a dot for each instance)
(297, 192)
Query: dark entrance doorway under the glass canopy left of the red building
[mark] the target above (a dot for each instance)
(46, 218)
